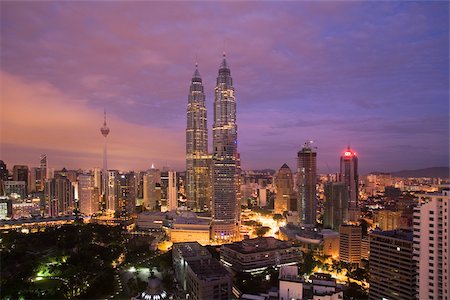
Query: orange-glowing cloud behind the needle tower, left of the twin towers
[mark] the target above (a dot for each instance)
(39, 117)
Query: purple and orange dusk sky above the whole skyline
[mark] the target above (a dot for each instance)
(373, 74)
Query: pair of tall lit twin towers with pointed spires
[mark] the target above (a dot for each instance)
(212, 179)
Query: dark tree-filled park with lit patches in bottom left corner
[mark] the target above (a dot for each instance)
(73, 261)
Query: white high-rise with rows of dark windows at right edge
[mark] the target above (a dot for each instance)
(431, 223)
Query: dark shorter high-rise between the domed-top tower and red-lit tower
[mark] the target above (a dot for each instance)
(336, 205)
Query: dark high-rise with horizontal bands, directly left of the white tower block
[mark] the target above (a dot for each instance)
(391, 265)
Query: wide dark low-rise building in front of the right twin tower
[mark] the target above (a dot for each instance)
(252, 255)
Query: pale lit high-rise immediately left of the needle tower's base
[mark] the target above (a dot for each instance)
(88, 194)
